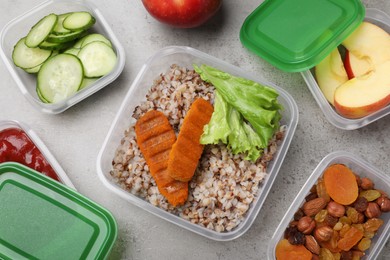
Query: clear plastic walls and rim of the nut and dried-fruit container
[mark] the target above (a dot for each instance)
(359, 167)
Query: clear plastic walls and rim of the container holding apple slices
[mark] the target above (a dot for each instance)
(382, 20)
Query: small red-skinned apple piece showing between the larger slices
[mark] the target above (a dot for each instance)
(356, 67)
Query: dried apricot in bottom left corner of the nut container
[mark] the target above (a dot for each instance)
(286, 251)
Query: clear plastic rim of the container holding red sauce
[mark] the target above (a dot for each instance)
(6, 124)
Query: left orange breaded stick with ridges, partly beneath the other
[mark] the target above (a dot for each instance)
(155, 137)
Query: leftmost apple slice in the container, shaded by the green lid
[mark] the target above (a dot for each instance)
(330, 74)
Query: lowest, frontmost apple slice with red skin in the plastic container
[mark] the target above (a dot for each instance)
(364, 95)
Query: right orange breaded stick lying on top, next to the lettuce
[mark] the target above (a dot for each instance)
(186, 152)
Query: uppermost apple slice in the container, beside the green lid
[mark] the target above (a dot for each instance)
(368, 43)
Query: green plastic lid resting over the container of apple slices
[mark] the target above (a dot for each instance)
(295, 35)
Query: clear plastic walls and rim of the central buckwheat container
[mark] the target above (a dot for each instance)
(159, 63)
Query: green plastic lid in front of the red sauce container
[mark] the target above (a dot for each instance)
(43, 219)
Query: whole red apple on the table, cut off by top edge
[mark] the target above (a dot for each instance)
(182, 13)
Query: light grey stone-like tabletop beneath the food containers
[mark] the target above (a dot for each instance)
(75, 136)
